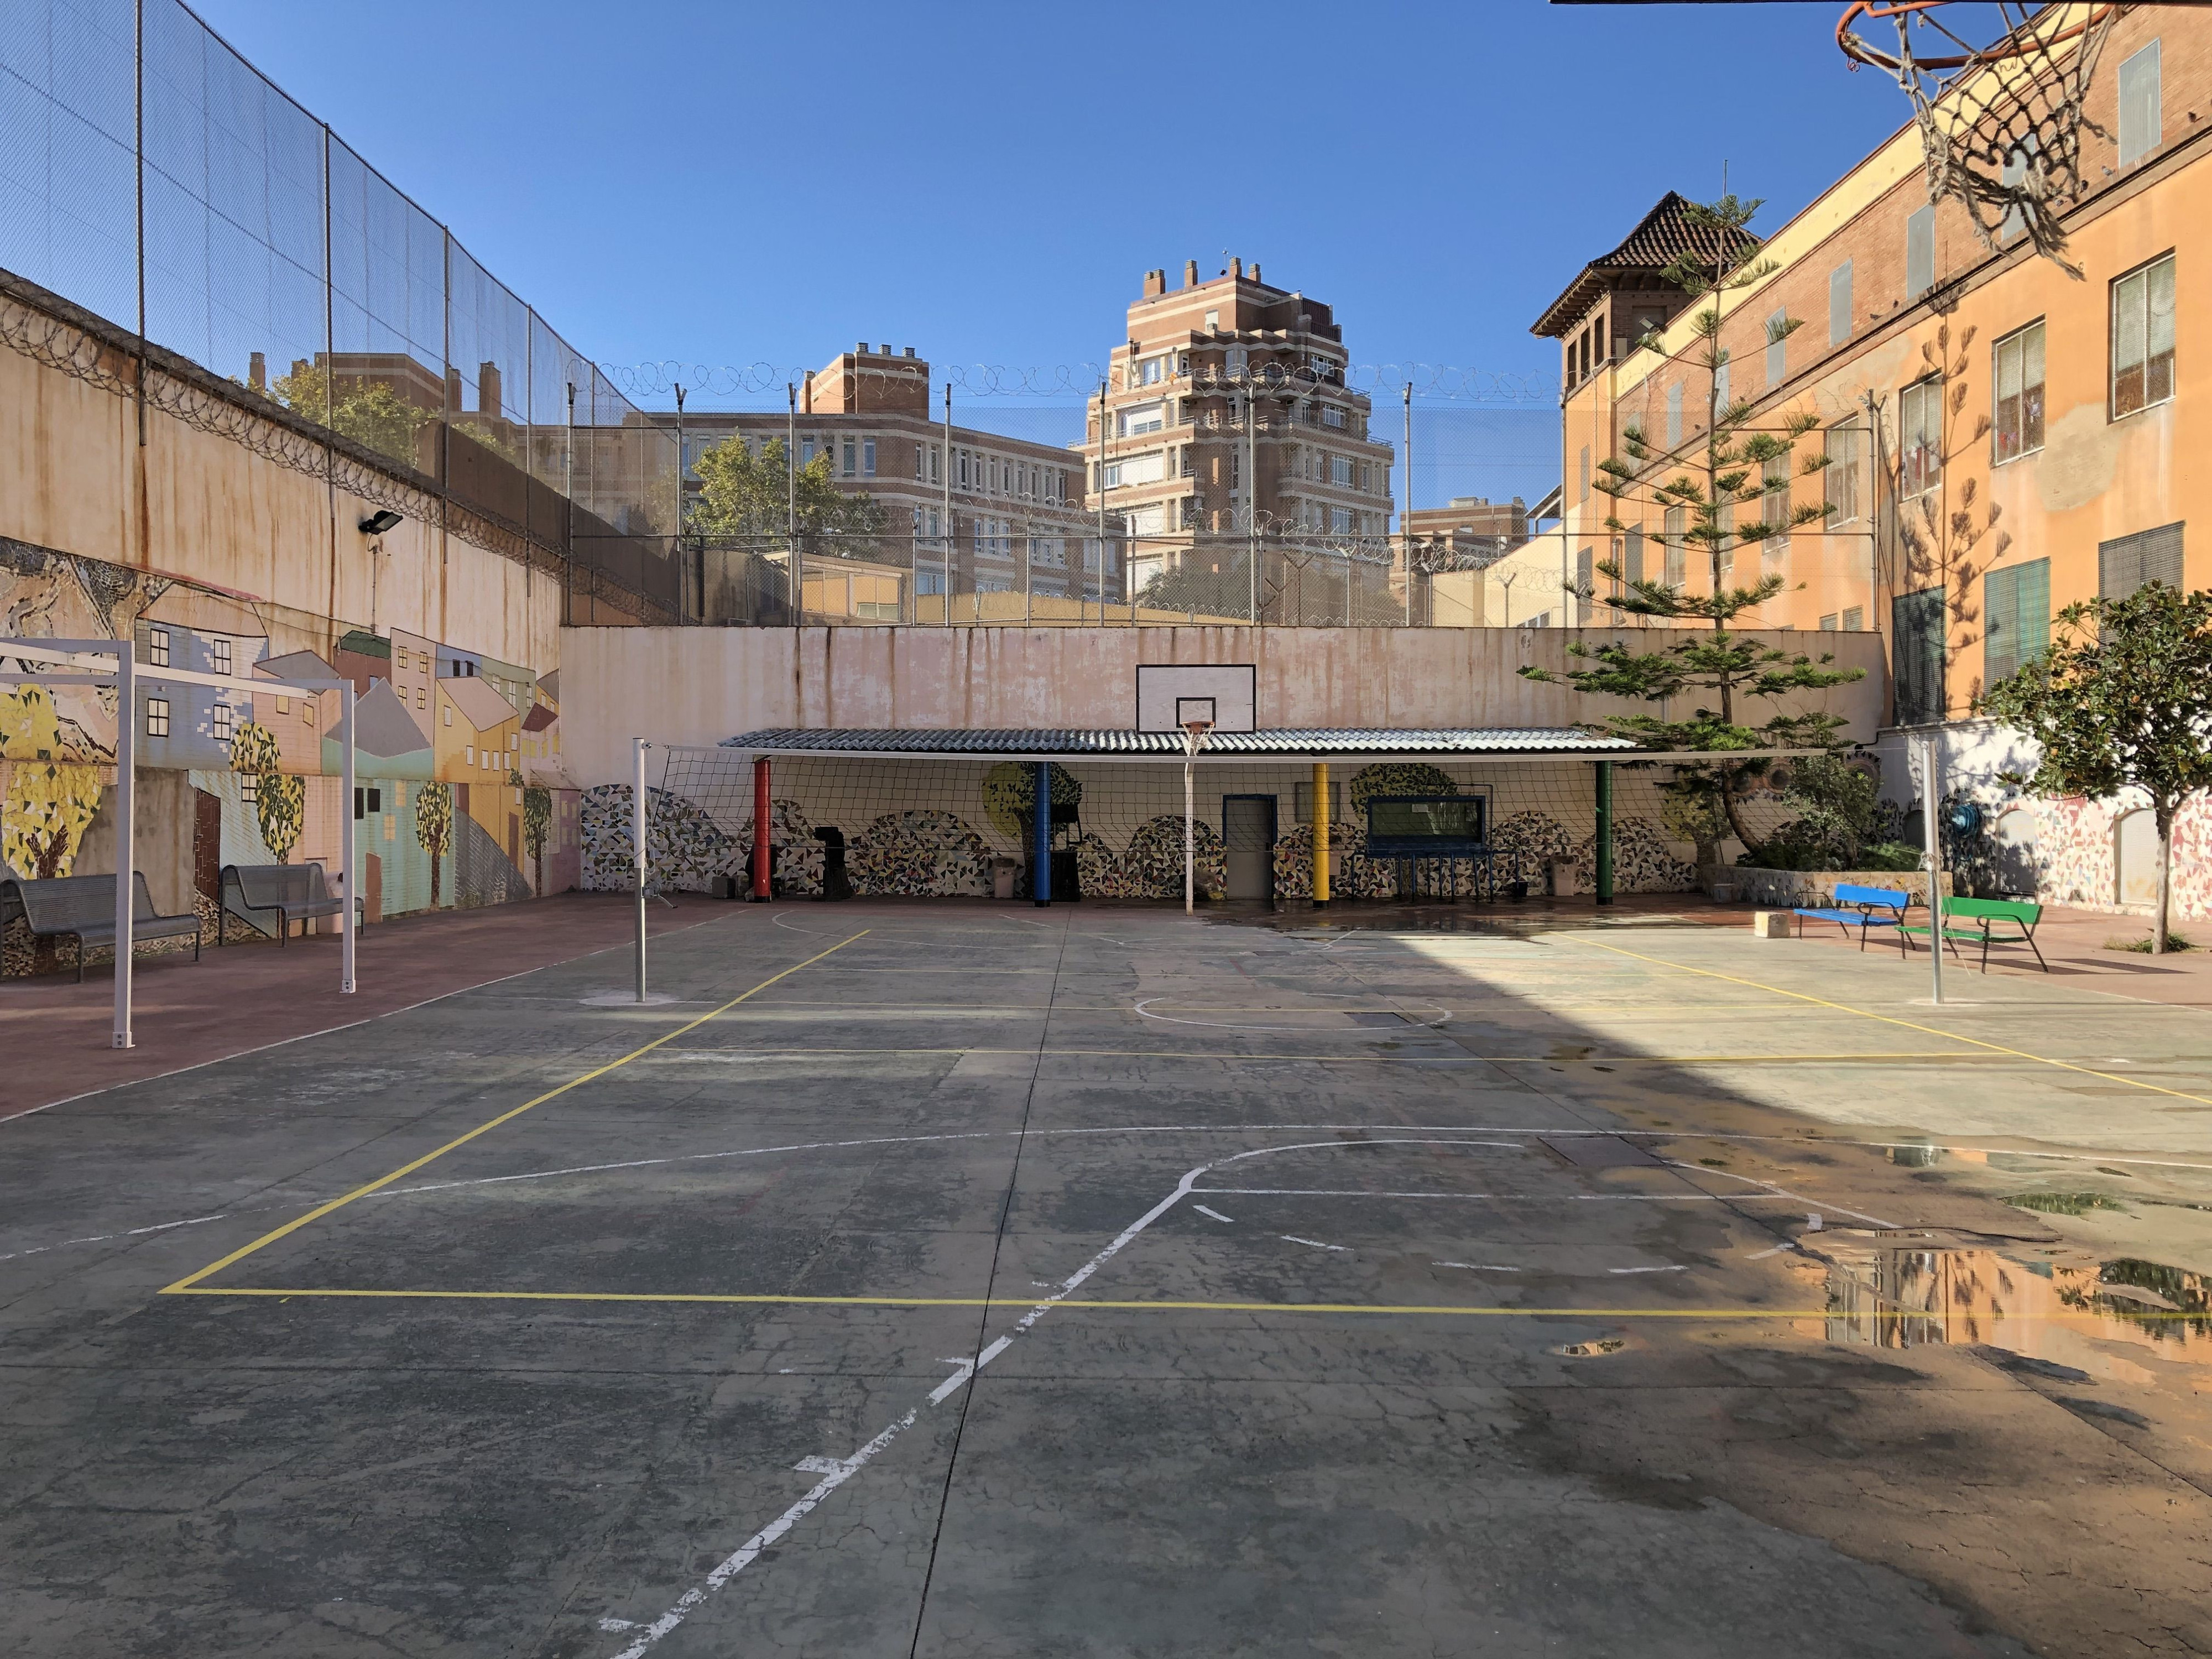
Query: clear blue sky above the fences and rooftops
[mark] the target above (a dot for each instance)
(727, 185)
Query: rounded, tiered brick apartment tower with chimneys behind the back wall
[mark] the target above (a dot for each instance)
(1176, 457)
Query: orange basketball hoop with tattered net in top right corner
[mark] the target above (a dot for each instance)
(2001, 123)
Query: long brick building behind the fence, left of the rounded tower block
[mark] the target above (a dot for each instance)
(977, 510)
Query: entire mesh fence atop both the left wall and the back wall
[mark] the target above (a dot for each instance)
(180, 231)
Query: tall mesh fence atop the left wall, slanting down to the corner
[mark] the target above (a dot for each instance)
(160, 182)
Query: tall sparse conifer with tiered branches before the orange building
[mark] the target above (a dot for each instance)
(1733, 492)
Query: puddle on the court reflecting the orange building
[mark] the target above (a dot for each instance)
(2063, 1306)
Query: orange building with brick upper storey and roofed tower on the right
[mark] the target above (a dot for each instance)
(2003, 437)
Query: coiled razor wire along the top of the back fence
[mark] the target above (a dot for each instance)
(1081, 382)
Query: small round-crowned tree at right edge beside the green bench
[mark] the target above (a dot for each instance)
(2120, 700)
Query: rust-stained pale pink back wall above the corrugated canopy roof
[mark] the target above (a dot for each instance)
(707, 685)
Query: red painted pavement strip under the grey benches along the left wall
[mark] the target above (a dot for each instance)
(56, 1032)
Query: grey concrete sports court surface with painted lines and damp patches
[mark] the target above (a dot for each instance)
(963, 1280)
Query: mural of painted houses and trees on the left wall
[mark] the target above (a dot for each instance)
(459, 793)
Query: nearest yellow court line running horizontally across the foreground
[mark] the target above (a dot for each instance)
(1098, 1306)
